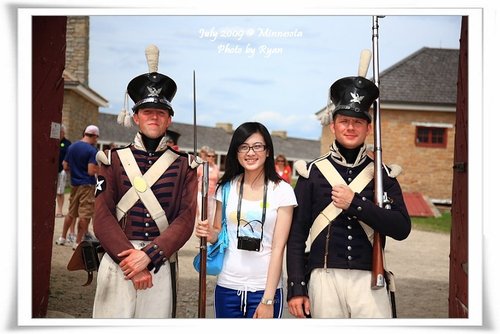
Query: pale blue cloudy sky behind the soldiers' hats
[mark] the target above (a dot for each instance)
(273, 69)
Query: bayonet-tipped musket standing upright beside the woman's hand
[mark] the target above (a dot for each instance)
(202, 288)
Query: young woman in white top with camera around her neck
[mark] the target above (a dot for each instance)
(259, 214)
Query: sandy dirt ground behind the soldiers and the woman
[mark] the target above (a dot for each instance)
(420, 264)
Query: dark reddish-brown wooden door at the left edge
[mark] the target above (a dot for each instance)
(48, 61)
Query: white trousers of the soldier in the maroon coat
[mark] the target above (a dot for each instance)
(116, 296)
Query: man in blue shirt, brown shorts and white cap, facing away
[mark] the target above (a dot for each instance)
(80, 162)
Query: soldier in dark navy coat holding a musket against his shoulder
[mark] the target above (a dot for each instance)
(332, 279)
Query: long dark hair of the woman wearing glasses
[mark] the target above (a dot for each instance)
(232, 165)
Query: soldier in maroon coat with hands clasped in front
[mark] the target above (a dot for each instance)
(145, 210)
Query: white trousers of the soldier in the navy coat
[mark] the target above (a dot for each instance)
(346, 293)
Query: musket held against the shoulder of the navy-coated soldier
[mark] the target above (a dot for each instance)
(378, 271)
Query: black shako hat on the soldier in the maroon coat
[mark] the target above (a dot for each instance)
(152, 90)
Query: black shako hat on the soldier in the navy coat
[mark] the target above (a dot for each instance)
(353, 97)
